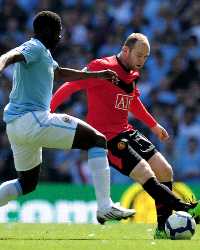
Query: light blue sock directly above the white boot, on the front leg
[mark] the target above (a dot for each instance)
(99, 166)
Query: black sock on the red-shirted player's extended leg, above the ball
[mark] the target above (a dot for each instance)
(163, 195)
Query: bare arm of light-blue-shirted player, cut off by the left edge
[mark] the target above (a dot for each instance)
(10, 57)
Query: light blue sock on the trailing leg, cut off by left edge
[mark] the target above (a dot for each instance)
(9, 190)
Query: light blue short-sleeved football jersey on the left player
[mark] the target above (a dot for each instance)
(32, 81)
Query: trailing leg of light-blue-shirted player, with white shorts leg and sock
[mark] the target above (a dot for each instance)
(26, 157)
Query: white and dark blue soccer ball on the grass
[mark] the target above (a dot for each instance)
(180, 226)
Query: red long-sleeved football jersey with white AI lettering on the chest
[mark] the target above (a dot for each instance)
(108, 104)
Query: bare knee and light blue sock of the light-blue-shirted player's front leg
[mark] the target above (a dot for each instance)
(90, 139)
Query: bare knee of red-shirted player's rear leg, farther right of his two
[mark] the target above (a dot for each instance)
(161, 167)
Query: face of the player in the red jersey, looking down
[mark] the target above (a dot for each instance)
(137, 56)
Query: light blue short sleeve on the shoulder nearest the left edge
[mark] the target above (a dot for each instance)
(30, 51)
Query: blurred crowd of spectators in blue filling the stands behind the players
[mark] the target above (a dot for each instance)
(169, 83)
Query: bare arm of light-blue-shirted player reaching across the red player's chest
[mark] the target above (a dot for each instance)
(71, 74)
